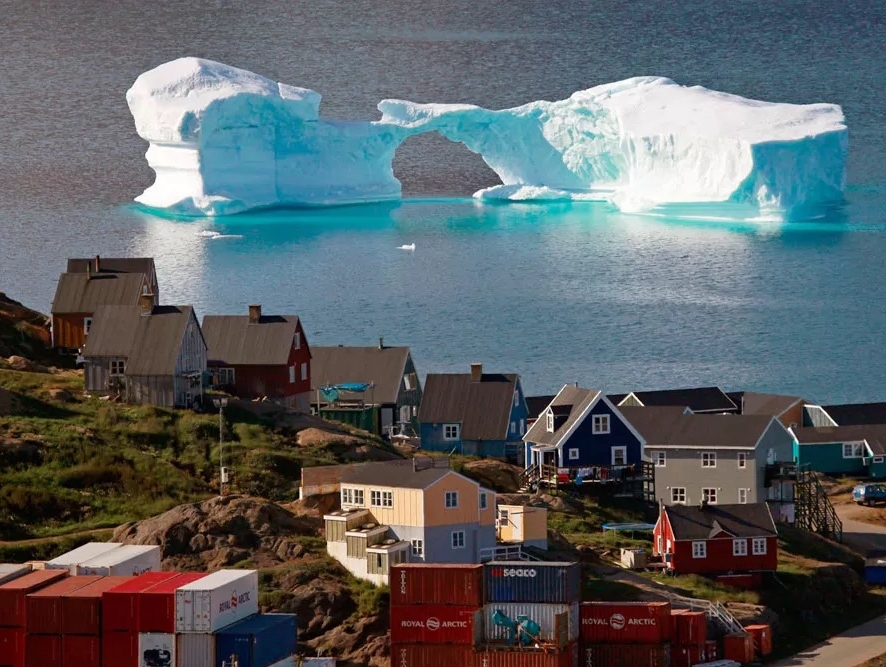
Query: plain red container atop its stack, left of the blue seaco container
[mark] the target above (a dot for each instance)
(427, 583)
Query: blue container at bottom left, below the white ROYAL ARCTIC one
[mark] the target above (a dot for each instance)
(257, 641)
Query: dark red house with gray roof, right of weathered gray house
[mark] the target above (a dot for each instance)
(260, 356)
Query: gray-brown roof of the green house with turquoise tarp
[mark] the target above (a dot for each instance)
(382, 366)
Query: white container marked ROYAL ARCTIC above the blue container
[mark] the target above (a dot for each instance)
(216, 601)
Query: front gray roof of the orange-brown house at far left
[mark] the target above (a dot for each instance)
(82, 293)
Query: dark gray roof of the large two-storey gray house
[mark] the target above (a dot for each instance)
(670, 427)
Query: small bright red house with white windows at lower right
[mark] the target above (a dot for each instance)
(717, 539)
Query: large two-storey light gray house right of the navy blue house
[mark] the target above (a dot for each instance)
(717, 458)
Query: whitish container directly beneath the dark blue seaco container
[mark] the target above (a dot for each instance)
(558, 623)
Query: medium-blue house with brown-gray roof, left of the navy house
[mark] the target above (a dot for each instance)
(476, 413)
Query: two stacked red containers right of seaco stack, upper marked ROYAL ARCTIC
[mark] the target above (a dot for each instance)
(622, 634)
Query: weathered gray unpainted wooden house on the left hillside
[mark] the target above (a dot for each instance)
(147, 354)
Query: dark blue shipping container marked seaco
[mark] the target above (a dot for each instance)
(532, 581)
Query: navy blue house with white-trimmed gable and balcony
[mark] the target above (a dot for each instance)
(582, 428)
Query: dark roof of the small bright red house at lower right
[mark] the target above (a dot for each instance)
(692, 522)
